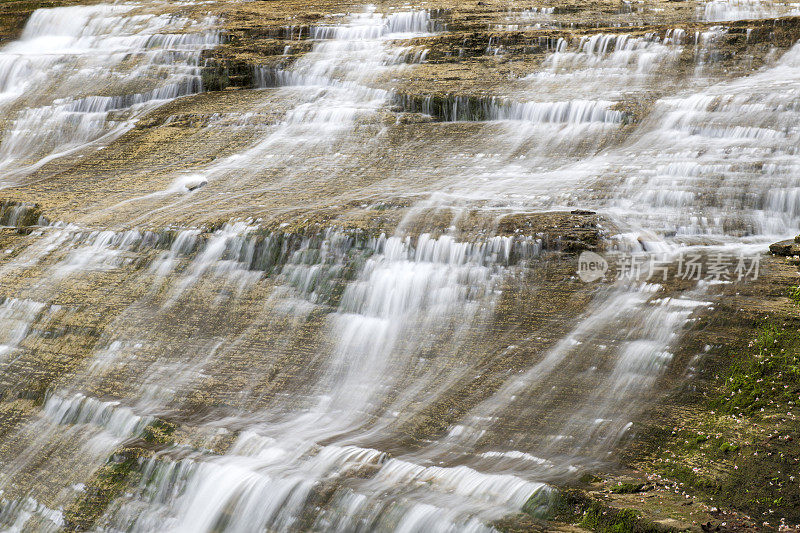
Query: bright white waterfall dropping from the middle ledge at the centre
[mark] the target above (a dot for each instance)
(434, 286)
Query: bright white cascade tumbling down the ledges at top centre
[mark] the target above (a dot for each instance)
(332, 80)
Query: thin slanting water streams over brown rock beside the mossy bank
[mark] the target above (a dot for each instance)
(644, 330)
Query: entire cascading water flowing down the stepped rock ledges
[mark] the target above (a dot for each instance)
(343, 379)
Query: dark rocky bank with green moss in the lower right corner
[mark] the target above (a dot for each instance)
(736, 444)
